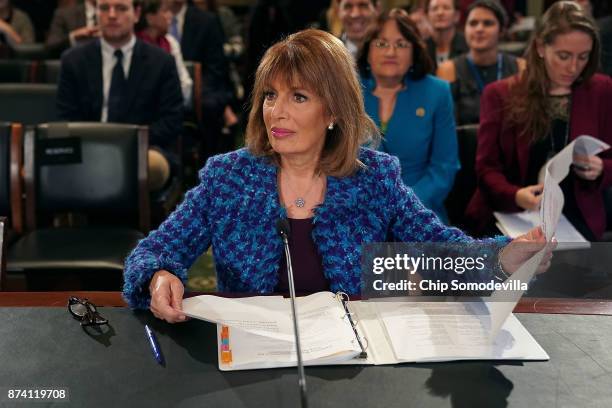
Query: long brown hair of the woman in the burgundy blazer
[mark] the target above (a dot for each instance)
(527, 105)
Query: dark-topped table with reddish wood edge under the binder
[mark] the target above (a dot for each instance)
(43, 346)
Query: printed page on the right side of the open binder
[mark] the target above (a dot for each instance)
(442, 331)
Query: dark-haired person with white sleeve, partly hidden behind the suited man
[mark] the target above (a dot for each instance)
(152, 28)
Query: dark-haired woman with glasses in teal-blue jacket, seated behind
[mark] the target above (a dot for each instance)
(413, 109)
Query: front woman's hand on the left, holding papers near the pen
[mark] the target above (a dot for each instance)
(167, 297)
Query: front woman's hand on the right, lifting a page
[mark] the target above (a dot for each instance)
(522, 248)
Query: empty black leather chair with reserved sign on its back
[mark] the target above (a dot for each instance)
(91, 180)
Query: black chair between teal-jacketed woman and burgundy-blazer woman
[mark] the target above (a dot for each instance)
(465, 180)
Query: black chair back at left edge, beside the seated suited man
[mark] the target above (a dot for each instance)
(29, 104)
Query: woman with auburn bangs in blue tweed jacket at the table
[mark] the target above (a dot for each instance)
(303, 161)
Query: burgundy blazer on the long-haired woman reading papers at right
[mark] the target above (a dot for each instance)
(502, 160)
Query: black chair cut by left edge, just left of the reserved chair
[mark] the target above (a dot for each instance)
(11, 183)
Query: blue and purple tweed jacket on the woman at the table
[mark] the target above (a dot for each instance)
(235, 208)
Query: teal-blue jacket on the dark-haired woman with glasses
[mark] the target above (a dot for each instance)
(421, 133)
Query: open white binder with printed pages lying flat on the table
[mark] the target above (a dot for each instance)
(261, 333)
